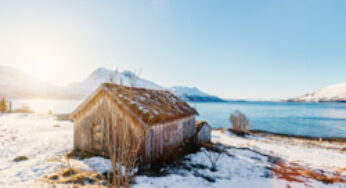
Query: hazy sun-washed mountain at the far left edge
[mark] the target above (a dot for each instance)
(15, 83)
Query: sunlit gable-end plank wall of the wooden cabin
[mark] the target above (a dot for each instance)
(105, 114)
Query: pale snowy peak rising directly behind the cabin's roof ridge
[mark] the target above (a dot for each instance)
(82, 89)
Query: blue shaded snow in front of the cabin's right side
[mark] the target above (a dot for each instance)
(246, 169)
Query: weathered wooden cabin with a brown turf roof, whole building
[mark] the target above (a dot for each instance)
(158, 119)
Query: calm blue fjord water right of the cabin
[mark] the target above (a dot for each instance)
(305, 119)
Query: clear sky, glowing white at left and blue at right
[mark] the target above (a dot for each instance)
(234, 49)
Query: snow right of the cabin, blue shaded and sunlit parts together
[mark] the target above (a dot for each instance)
(248, 163)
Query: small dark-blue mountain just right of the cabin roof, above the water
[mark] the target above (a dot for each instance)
(193, 94)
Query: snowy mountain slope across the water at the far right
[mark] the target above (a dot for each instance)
(333, 93)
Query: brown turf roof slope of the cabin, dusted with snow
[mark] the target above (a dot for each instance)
(152, 106)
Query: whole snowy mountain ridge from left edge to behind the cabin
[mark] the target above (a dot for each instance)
(15, 83)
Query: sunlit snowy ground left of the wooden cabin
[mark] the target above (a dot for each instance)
(39, 137)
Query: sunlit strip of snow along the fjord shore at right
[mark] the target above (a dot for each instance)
(325, 156)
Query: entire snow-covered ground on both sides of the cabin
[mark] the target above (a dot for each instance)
(246, 162)
